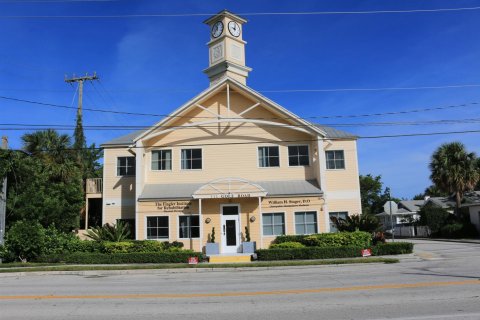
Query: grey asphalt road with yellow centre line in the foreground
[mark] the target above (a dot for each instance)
(441, 281)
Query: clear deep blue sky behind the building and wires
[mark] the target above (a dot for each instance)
(154, 64)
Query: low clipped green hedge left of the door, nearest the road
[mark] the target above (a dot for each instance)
(119, 258)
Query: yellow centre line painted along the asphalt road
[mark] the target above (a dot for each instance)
(246, 294)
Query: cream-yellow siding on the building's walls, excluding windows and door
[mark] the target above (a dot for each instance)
(230, 150)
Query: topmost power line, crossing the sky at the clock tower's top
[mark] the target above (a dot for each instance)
(293, 13)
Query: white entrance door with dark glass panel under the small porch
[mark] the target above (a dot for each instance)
(230, 228)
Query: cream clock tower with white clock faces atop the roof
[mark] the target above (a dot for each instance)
(226, 48)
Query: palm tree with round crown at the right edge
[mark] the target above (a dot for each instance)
(454, 170)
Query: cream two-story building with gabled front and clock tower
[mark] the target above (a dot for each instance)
(227, 159)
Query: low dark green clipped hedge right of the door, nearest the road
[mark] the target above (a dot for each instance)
(332, 252)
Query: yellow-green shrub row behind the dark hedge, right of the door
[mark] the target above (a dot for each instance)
(338, 239)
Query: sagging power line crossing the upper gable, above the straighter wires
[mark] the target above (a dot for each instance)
(275, 118)
